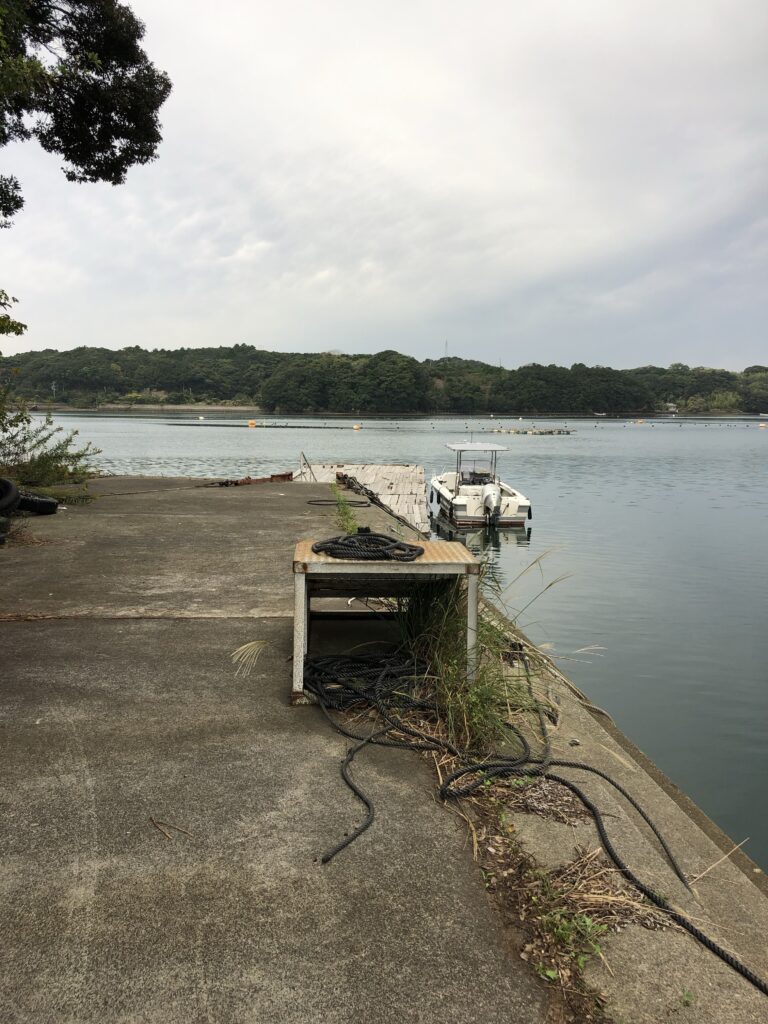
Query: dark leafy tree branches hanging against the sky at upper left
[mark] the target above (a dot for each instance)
(73, 75)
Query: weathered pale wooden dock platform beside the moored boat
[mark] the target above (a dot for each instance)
(402, 489)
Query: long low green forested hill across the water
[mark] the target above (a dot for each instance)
(387, 382)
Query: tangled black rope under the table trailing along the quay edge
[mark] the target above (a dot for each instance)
(390, 685)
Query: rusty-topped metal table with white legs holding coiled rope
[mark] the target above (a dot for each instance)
(323, 576)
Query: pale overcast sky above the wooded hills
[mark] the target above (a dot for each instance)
(539, 182)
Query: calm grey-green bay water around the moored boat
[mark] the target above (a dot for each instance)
(661, 529)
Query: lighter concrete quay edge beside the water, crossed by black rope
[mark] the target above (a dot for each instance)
(646, 973)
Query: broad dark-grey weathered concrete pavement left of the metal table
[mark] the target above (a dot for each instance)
(120, 703)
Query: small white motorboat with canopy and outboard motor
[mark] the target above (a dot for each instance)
(474, 495)
